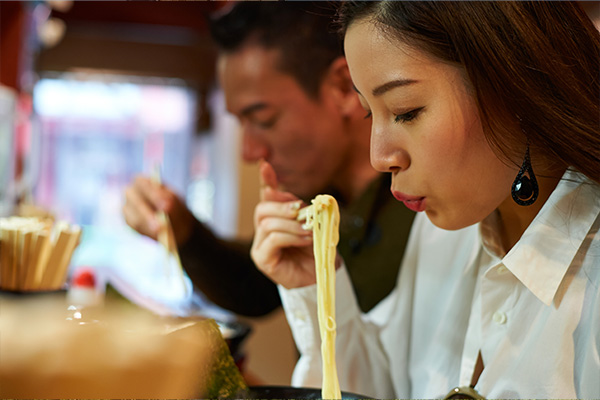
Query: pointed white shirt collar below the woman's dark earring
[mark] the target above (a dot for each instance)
(541, 258)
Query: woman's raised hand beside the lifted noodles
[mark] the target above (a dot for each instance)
(281, 249)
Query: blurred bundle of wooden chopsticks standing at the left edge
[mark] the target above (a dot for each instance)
(35, 254)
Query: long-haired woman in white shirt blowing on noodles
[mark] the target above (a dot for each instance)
(487, 116)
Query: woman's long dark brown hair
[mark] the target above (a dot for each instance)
(533, 65)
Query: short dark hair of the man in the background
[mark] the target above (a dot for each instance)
(301, 31)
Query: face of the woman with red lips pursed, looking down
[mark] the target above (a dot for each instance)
(426, 130)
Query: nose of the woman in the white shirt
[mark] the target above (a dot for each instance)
(387, 152)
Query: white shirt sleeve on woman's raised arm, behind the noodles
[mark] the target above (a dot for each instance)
(365, 368)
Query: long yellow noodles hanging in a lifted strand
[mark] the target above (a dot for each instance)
(324, 218)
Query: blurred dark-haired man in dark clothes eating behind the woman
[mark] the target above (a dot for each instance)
(285, 78)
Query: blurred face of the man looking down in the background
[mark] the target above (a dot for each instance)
(301, 137)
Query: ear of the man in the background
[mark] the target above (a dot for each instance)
(340, 85)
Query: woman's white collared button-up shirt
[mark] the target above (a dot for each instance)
(534, 313)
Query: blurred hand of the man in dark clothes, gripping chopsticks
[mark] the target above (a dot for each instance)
(144, 198)
